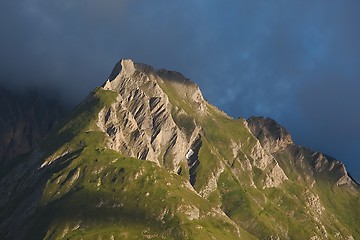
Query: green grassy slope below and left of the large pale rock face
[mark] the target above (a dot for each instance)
(102, 193)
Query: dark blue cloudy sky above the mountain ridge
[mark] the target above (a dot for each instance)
(297, 62)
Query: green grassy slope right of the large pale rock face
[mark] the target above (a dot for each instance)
(279, 212)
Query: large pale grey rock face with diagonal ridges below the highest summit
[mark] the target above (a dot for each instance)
(144, 123)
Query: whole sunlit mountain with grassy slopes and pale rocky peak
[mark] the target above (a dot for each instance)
(145, 156)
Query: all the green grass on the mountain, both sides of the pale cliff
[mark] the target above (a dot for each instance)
(96, 193)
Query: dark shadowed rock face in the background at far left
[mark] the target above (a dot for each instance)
(24, 122)
